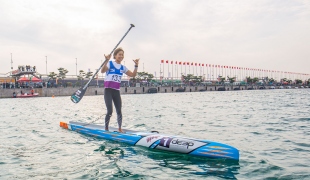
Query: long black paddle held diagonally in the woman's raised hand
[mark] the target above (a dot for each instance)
(78, 95)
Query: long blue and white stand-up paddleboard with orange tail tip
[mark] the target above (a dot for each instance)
(154, 140)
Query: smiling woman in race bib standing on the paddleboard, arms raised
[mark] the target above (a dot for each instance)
(112, 82)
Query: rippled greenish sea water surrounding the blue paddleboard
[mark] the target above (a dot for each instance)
(269, 127)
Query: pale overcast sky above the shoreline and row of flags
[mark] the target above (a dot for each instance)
(264, 34)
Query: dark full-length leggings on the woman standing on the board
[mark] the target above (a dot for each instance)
(115, 96)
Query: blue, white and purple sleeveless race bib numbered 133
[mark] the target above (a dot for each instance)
(113, 77)
